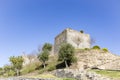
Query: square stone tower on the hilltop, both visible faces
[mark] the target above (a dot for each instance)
(75, 38)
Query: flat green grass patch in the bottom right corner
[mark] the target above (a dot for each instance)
(108, 73)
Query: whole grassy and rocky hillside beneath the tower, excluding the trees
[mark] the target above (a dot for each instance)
(86, 59)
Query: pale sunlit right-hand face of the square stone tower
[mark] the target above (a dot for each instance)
(77, 39)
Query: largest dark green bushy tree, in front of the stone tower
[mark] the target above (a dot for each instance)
(66, 54)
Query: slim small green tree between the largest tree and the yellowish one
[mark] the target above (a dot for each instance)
(44, 56)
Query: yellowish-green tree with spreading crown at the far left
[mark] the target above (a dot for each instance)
(17, 63)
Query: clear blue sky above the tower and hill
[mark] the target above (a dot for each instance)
(27, 24)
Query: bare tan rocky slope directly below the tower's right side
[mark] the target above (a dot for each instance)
(97, 59)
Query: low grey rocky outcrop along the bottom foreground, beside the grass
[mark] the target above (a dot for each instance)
(79, 74)
